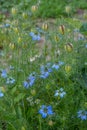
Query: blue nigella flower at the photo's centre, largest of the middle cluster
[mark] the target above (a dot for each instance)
(45, 70)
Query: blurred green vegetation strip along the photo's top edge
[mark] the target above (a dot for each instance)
(51, 8)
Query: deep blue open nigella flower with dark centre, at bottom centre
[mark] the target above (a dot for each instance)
(45, 111)
